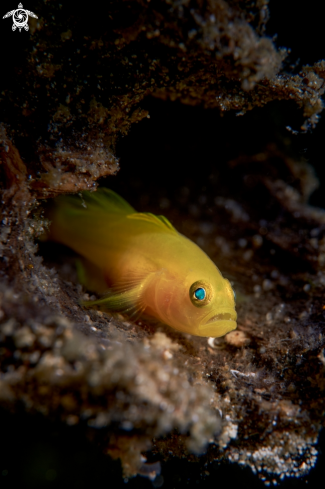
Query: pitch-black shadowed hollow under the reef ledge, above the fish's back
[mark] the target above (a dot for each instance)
(182, 159)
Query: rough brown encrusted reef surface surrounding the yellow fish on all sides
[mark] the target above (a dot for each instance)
(106, 388)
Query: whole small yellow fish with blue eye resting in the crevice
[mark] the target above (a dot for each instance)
(143, 264)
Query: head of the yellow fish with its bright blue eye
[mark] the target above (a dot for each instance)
(204, 306)
